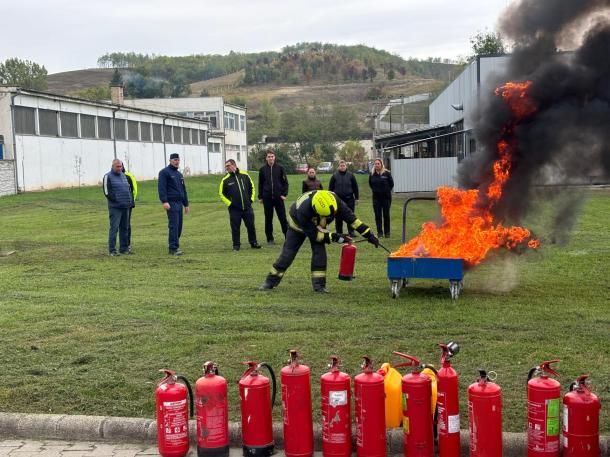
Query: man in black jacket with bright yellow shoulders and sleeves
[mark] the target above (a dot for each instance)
(237, 192)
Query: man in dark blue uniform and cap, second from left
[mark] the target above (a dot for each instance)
(172, 193)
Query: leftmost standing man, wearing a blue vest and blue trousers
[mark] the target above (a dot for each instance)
(118, 193)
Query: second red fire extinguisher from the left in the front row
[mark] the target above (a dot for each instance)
(212, 413)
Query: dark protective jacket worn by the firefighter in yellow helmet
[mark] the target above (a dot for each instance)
(303, 218)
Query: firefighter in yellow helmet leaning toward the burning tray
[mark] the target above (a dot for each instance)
(309, 217)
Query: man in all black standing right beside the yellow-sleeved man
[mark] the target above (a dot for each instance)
(272, 191)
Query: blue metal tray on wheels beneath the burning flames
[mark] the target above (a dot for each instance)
(401, 269)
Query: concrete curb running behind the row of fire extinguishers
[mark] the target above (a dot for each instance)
(136, 430)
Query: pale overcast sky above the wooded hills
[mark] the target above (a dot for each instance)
(69, 35)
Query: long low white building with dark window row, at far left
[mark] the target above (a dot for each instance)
(53, 141)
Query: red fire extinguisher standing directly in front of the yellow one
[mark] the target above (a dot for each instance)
(417, 421)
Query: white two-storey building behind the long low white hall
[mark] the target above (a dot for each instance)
(227, 140)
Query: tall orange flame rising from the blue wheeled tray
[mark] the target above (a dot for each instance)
(468, 230)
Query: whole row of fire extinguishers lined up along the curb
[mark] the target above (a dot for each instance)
(426, 405)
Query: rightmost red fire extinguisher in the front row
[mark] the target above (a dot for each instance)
(580, 421)
